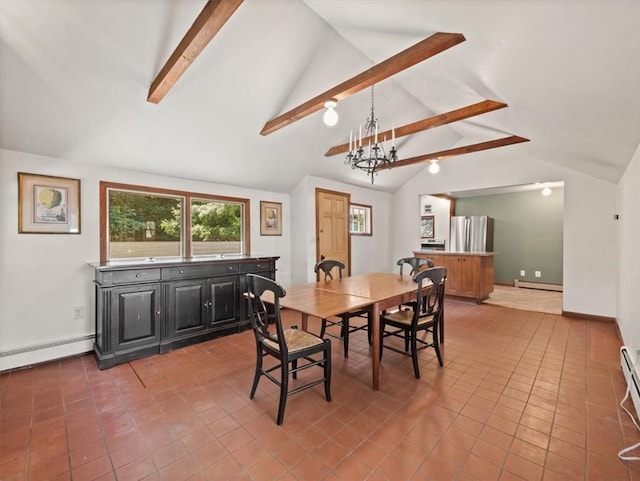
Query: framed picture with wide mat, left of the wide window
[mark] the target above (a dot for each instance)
(48, 205)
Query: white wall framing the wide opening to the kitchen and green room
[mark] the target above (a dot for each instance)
(590, 247)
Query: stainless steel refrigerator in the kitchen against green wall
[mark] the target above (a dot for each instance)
(471, 234)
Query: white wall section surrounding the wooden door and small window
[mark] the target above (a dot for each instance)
(368, 253)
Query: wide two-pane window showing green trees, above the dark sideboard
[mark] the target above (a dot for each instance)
(141, 222)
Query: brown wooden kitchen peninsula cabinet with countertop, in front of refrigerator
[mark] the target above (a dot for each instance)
(469, 275)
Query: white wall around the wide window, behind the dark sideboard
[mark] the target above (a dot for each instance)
(44, 276)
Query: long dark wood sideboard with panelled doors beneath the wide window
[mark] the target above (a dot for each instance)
(153, 307)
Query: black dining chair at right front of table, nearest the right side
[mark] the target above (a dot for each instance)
(406, 324)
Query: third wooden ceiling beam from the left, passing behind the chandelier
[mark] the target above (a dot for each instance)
(429, 123)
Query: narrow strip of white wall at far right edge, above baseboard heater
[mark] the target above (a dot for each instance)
(629, 253)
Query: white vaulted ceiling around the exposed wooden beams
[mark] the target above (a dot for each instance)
(74, 78)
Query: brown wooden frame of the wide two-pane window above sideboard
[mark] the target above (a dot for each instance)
(186, 225)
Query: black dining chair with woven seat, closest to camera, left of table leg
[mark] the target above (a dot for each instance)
(287, 346)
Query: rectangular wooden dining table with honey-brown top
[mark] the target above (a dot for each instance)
(375, 292)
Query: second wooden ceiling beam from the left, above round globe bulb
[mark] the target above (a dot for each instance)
(424, 49)
